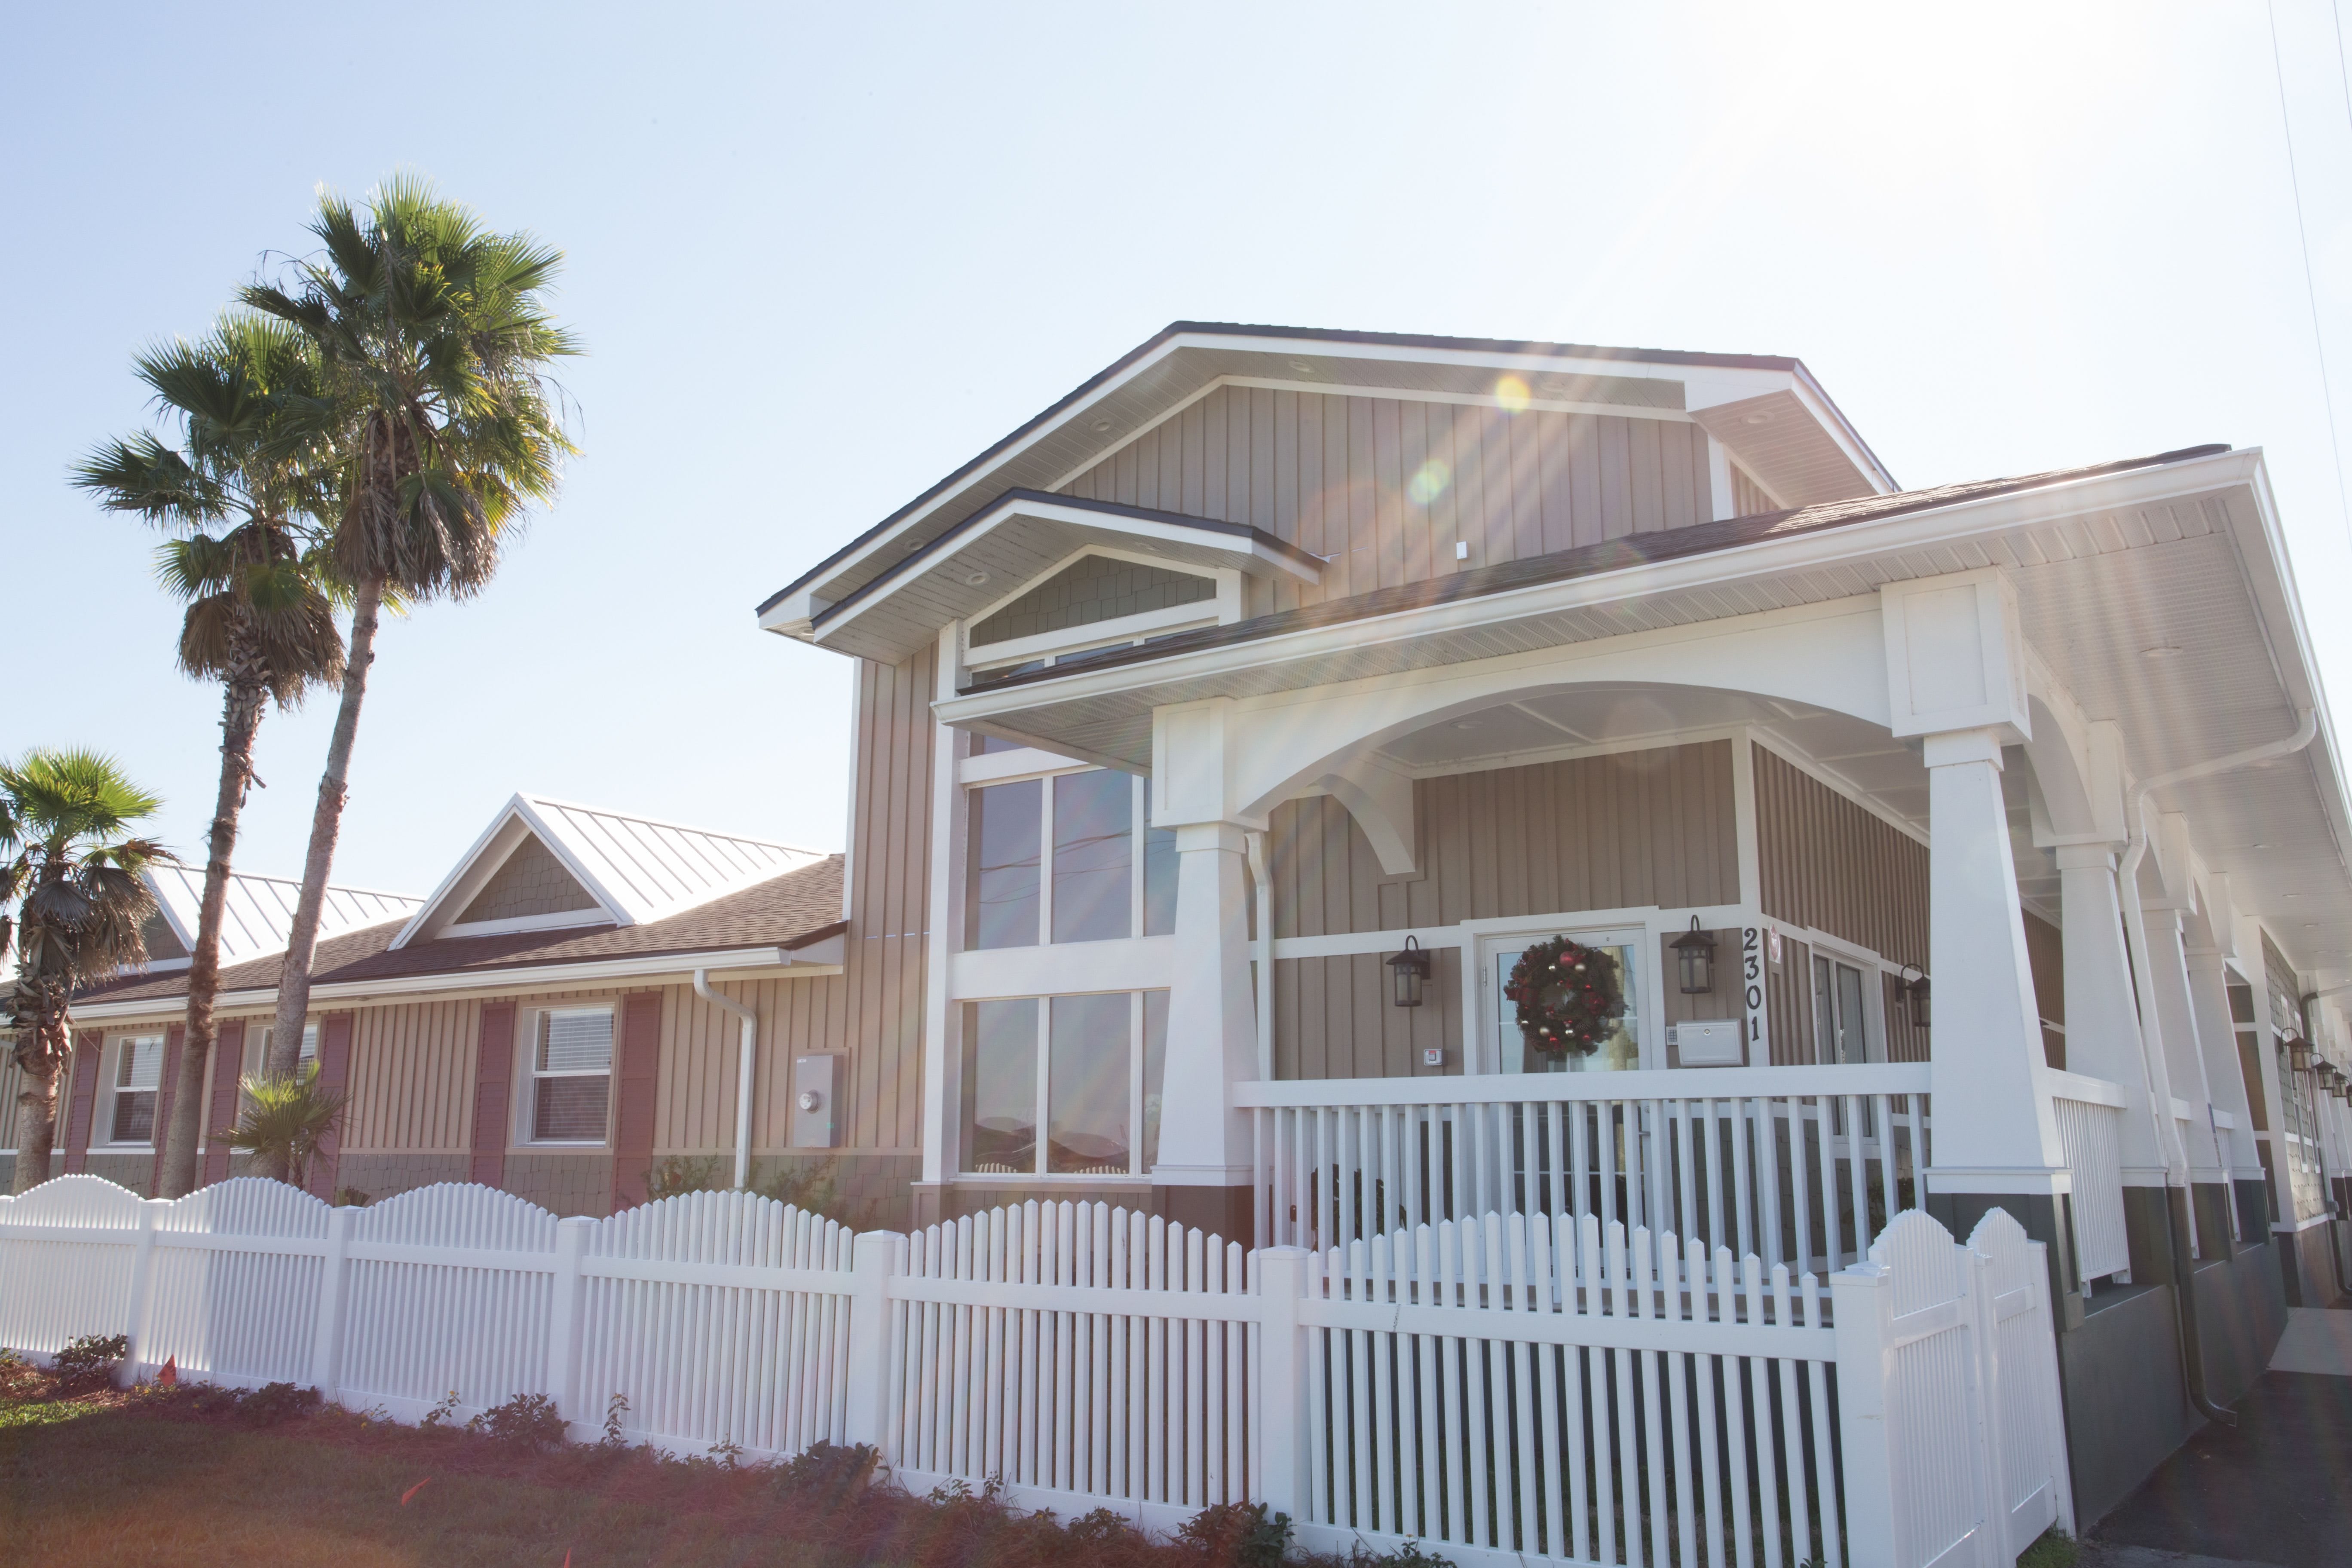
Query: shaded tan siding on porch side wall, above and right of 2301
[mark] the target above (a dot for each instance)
(1831, 866)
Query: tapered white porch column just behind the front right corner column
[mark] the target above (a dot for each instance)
(2102, 1010)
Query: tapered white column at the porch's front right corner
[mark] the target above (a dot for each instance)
(1996, 1132)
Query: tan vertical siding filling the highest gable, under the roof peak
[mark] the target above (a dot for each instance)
(1337, 476)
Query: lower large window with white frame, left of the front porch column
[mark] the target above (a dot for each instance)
(1083, 1068)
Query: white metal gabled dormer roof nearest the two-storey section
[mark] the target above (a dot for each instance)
(634, 871)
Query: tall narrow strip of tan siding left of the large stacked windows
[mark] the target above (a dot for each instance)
(890, 885)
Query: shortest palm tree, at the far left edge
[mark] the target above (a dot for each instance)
(72, 869)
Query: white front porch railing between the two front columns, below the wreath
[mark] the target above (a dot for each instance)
(1793, 1165)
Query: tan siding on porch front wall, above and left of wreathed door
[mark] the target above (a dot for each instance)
(1586, 833)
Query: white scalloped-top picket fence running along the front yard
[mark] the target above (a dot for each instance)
(1504, 1388)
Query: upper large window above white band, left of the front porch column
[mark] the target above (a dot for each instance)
(1057, 859)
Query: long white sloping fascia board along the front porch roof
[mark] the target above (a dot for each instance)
(1763, 558)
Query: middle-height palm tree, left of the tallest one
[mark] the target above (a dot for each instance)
(243, 495)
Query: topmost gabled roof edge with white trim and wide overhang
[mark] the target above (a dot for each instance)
(1768, 410)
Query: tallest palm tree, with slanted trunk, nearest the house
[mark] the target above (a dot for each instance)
(439, 342)
